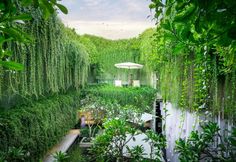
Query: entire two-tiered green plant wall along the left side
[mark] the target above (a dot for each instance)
(38, 104)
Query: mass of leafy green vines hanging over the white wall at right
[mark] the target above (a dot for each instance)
(196, 48)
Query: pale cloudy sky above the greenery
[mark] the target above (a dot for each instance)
(111, 19)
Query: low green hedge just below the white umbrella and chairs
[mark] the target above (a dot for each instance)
(141, 97)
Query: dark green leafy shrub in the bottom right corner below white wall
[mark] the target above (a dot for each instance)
(208, 145)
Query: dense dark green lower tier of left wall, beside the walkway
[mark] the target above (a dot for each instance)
(39, 126)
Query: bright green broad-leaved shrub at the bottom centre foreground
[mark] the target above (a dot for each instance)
(110, 144)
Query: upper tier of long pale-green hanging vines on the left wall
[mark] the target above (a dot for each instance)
(54, 61)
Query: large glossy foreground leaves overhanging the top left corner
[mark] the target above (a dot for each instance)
(11, 17)
